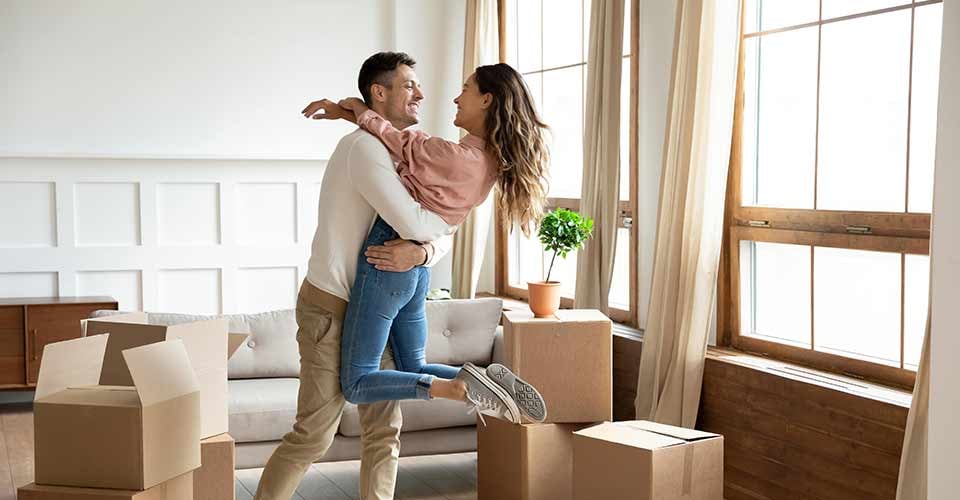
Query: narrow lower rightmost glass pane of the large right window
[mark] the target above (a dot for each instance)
(916, 295)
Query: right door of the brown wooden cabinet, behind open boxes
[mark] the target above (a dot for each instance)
(47, 324)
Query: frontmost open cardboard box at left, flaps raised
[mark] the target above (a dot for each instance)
(132, 438)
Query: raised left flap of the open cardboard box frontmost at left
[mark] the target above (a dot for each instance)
(69, 363)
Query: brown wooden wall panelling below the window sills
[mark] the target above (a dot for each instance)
(784, 438)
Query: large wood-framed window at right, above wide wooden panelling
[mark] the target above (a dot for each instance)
(831, 184)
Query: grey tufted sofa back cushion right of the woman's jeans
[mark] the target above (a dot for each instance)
(462, 330)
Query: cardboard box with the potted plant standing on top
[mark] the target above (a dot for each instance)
(568, 358)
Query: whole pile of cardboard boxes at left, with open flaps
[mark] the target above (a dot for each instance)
(140, 418)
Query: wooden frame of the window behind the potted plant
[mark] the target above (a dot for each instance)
(627, 208)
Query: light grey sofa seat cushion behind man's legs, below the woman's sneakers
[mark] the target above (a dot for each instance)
(418, 415)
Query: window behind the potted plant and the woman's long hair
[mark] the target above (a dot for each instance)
(548, 42)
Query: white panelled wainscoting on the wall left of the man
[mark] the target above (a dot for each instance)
(192, 236)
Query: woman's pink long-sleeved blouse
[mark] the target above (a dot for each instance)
(447, 178)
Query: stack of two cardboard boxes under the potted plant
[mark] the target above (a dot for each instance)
(568, 358)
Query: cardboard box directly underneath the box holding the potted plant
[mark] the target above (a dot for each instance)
(524, 461)
